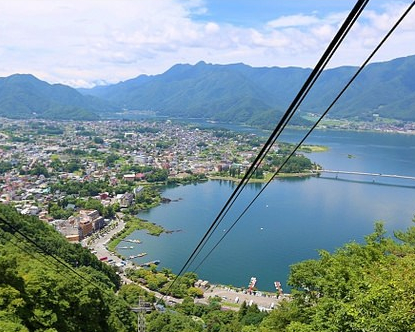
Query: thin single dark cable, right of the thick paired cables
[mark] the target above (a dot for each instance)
(311, 129)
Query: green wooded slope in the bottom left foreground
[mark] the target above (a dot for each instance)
(39, 294)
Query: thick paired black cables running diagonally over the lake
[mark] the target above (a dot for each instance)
(344, 29)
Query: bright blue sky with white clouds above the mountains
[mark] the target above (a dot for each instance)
(83, 43)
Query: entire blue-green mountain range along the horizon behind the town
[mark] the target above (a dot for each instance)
(228, 93)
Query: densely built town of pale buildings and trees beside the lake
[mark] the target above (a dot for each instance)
(77, 175)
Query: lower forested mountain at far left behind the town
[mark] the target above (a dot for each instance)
(24, 96)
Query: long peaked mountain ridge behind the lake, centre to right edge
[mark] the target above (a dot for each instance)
(241, 93)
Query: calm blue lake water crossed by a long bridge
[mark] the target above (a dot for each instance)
(292, 219)
